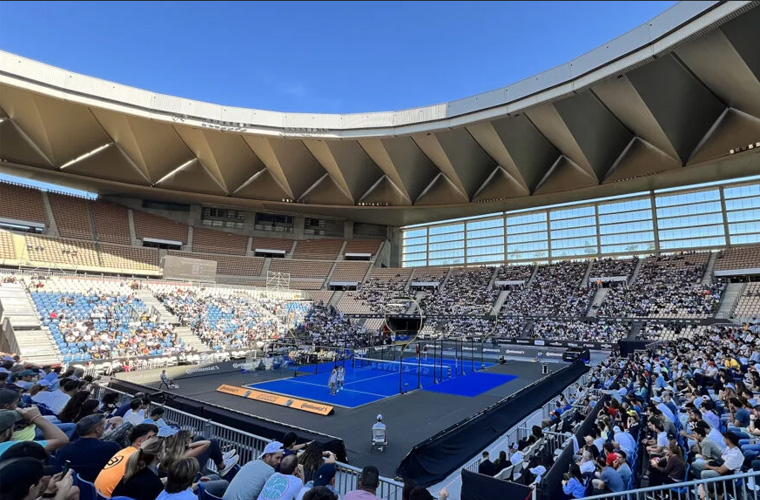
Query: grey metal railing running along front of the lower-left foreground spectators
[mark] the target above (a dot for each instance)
(250, 446)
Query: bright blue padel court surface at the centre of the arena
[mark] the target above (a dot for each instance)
(367, 382)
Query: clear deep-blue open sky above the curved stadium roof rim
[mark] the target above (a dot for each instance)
(332, 57)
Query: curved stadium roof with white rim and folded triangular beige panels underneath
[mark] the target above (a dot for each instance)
(660, 106)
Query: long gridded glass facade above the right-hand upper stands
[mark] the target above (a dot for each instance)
(660, 221)
